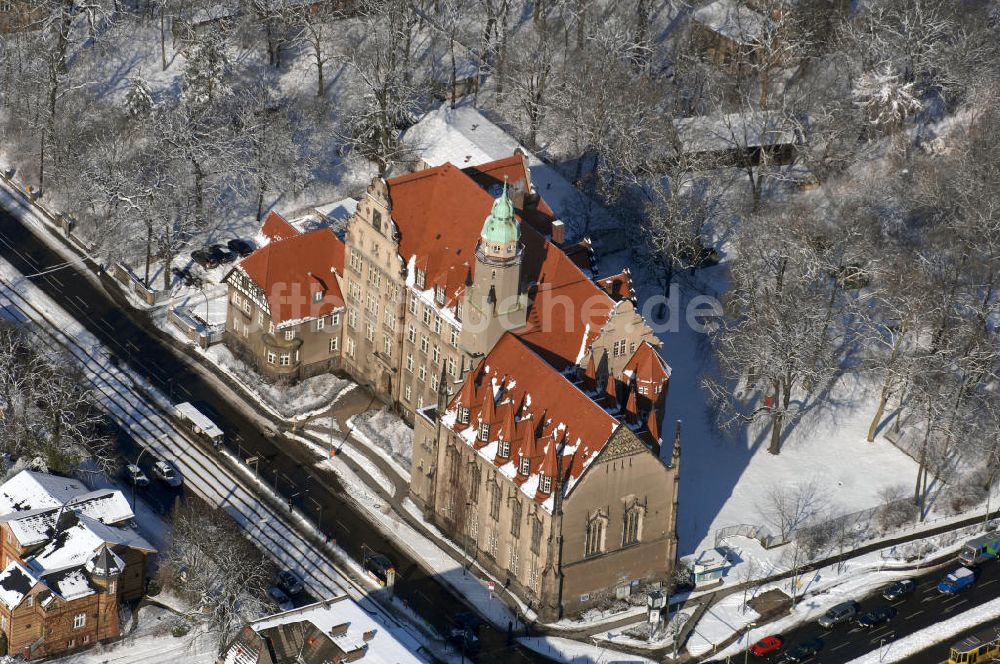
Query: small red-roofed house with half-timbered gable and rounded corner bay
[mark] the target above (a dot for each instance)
(285, 303)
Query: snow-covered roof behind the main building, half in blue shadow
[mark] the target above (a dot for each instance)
(464, 137)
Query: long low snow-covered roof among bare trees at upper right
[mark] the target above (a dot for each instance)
(713, 133)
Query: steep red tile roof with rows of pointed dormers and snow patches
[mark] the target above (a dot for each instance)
(555, 416)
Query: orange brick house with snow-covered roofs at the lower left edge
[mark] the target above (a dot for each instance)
(68, 561)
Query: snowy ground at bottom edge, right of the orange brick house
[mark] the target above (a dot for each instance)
(152, 643)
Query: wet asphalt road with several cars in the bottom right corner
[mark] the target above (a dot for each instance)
(921, 609)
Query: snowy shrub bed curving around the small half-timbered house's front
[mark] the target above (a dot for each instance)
(296, 401)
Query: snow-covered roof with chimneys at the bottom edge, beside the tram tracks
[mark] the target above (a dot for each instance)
(347, 625)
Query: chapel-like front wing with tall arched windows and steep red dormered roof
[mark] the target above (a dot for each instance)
(564, 498)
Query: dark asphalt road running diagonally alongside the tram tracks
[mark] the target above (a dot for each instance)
(131, 338)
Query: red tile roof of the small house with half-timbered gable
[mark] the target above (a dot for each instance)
(290, 271)
